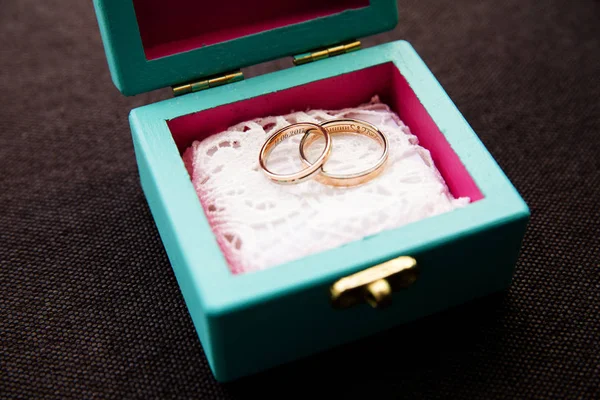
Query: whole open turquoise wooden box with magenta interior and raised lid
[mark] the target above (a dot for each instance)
(252, 322)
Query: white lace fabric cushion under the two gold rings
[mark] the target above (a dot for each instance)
(261, 224)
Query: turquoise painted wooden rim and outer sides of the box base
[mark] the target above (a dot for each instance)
(251, 322)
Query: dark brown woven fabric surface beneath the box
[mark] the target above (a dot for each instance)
(89, 306)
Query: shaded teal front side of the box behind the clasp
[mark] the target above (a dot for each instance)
(297, 325)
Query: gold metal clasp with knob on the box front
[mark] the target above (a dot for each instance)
(376, 284)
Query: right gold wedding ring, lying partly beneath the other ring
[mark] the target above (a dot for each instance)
(344, 126)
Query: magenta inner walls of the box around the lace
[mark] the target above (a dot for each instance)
(347, 90)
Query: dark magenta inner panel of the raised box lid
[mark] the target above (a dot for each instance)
(176, 26)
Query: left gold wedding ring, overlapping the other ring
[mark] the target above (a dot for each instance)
(285, 133)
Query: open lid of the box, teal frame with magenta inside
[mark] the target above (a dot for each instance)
(151, 44)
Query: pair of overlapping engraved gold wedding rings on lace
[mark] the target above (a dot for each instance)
(315, 169)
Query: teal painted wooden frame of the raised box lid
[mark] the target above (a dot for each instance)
(132, 73)
